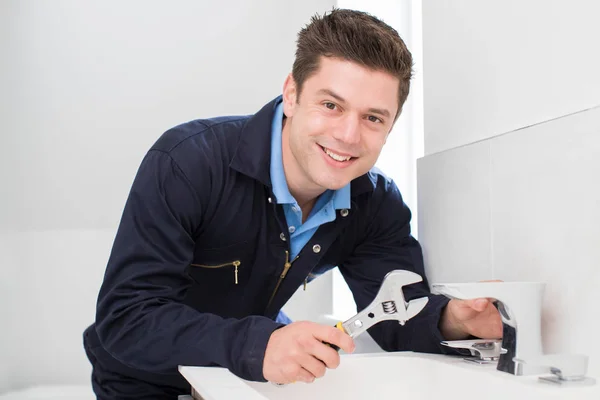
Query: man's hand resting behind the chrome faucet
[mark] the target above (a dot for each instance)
(477, 317)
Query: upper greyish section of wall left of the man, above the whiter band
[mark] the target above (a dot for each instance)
(90, 86)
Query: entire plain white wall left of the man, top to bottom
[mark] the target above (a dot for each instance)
(87, 87)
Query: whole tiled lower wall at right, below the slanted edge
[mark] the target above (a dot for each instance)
(524, 206)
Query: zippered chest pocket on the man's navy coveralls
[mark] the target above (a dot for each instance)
(228, 266)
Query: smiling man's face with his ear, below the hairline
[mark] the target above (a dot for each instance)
(336, 128)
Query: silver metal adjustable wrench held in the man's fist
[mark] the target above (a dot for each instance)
(389, 304)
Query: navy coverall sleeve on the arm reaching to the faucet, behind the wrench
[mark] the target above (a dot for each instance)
(386, 245)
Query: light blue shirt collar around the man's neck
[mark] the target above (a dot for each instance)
(341, 197)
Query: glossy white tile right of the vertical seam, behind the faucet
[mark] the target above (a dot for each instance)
(546, 223)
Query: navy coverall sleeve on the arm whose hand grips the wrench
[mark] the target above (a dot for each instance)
(141, 320)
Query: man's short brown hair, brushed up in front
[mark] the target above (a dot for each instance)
(354, 36)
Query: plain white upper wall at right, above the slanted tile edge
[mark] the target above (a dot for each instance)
(493, 67)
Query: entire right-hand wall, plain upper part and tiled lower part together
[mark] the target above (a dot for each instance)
(508, 187)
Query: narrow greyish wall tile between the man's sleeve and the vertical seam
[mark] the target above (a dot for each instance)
(454, 217)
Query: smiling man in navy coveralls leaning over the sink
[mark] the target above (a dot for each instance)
(227, 217)
